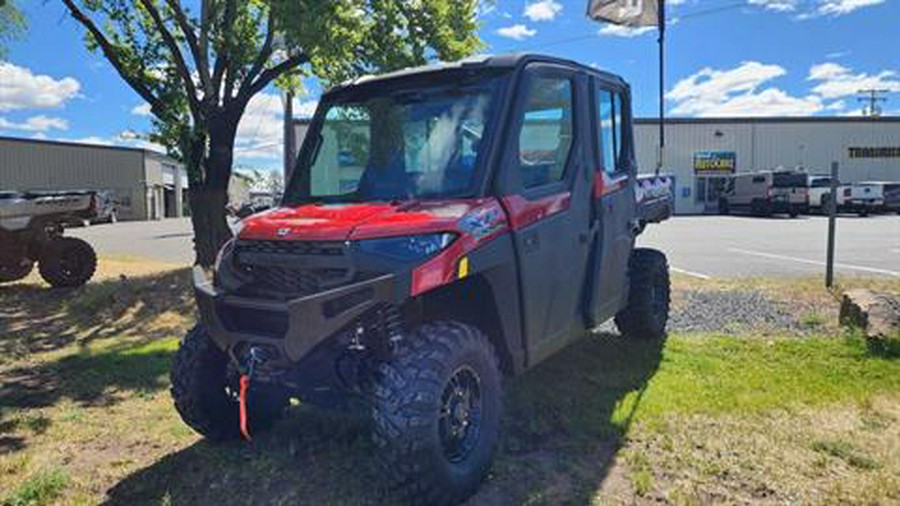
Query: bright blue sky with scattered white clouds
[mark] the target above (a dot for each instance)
(725, 58)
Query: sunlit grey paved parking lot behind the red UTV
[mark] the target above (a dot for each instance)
(701, 246)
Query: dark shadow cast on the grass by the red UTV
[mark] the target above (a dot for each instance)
(564, 423)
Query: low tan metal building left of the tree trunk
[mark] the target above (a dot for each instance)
(145, 184)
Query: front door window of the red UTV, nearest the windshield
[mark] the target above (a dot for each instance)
(546, 135)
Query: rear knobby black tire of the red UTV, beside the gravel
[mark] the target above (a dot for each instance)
(647, 312)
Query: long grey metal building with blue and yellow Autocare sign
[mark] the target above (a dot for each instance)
(701, 152)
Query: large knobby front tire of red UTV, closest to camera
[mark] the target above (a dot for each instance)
(443, 374)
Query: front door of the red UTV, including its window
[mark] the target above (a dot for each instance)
(547, 180)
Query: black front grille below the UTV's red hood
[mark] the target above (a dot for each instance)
(290, 269)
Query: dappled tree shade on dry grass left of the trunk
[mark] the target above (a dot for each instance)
(37, 319)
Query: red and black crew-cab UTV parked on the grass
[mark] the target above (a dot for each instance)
(445, 227)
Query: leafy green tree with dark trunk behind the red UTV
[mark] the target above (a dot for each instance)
(198, 71)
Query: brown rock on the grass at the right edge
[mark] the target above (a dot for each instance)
(876, 314)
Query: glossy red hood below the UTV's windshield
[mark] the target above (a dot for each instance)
(339, 222)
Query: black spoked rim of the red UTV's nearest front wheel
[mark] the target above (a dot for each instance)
(460, 415)
